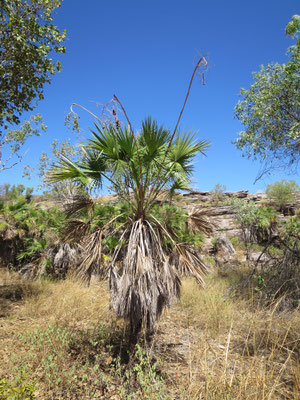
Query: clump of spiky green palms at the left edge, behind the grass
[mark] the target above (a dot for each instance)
(26, 235)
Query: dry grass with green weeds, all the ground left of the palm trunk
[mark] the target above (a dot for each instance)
(52, 336)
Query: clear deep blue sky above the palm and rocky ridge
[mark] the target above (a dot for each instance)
(145, 53)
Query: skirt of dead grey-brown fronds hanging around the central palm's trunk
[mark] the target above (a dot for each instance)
(148, 282)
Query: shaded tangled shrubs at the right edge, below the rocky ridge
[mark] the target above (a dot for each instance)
(274, 275)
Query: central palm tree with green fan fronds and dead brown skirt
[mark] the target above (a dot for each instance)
(143, 274)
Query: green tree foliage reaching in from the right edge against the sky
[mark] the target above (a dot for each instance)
(270, 110)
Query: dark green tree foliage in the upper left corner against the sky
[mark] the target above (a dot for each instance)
(27, 37)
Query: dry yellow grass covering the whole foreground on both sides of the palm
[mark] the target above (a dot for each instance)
(64, 337)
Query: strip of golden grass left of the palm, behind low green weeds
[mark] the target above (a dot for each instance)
(66, 301)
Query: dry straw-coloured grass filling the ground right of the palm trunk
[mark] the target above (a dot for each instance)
(231, 352)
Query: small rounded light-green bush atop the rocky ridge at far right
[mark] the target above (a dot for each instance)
(281, 193)
